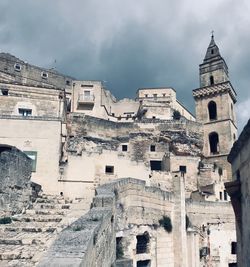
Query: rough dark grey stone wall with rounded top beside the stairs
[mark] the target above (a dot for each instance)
(15, 174)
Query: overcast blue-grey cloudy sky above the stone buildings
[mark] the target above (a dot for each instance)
(133, 43)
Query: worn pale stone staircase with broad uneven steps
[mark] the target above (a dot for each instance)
(30, 234)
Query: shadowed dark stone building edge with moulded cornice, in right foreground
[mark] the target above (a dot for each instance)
(239, 190)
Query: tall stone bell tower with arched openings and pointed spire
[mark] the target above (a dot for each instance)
(214, 102)
